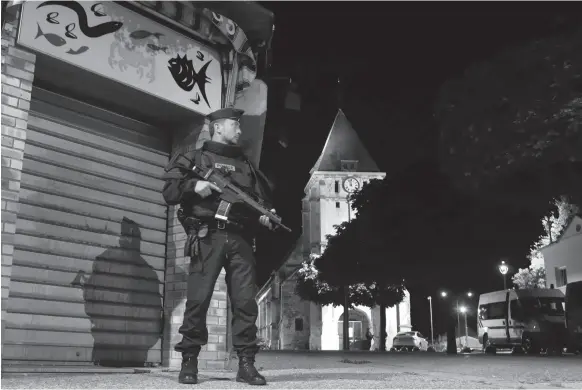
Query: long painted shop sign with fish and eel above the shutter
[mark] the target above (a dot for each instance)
(115, 42)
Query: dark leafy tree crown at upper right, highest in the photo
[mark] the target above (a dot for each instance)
(511, 127)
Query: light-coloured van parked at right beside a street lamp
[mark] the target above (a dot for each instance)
(531, 319)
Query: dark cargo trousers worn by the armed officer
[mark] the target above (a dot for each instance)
(221, 248)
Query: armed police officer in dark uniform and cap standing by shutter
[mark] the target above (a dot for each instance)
(213, 244)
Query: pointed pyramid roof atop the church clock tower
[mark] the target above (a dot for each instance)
(343, 143)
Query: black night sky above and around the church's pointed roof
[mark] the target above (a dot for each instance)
(391, 58)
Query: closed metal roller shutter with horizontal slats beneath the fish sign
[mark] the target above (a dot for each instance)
(89, 260)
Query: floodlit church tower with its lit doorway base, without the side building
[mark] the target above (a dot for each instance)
(344, 166)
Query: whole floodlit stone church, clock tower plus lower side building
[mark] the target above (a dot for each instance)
(343, 166)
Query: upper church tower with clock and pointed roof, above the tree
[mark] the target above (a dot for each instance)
(343, 166)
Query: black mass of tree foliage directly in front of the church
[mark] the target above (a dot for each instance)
(417, 227)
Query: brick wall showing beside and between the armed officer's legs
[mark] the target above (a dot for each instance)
(213, 355)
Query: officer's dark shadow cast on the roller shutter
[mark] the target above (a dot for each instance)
(123, 302)
